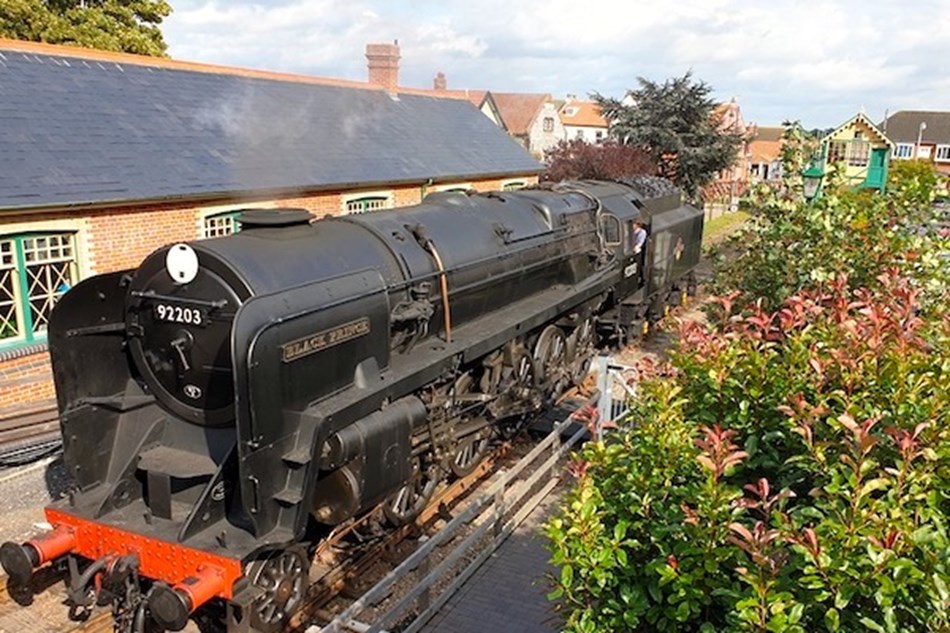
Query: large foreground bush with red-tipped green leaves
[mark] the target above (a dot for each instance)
(790, 474)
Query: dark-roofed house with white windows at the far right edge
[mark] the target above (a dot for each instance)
(920, 134)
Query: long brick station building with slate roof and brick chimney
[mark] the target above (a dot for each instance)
(108, 156)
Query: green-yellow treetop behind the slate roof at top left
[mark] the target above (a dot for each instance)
(129, 26)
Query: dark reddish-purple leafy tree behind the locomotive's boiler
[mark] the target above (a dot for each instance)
(577, 159)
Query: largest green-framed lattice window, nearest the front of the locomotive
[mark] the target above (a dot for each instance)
(36, 269)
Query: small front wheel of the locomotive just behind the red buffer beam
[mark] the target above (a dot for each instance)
(282, 576)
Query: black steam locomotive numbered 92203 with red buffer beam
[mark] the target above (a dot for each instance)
(226, 395)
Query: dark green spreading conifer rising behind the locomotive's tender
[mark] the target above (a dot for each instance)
(676, 124)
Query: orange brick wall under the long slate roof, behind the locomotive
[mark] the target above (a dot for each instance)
(117, 239)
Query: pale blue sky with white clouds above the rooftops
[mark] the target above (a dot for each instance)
(819, 61)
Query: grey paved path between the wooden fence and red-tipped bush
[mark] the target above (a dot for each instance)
(508, 592)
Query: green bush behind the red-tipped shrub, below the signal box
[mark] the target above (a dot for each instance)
(789, 246)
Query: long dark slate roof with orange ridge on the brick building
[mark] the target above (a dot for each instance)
(87, 128)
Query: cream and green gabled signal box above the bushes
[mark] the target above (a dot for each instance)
(861, 150)
